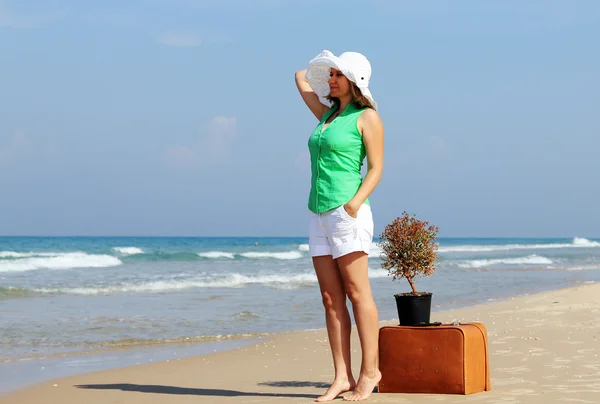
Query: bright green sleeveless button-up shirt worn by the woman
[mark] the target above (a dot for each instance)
(336, 157)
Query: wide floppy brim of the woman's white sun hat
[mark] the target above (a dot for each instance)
(318, 74)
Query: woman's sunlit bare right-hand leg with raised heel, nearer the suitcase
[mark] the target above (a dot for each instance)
(354, 269)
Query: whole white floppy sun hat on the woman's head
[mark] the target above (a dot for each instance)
(355, 66)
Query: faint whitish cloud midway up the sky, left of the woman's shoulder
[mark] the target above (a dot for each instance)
(214, 145)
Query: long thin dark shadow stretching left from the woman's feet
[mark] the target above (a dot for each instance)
(157, 389)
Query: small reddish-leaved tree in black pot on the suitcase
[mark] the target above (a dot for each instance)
(410, 250)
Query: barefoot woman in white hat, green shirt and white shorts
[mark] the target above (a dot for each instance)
(336, 90)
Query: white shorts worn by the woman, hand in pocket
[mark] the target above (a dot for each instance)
(336, 233)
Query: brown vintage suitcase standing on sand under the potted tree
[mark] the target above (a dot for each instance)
(434, 359)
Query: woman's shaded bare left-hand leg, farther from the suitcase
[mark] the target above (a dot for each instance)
(338, 323)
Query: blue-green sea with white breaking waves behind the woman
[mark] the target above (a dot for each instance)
(73, 295)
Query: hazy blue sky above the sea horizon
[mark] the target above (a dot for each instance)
(181, 117)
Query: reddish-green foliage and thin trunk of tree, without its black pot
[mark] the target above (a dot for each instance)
(409, 248)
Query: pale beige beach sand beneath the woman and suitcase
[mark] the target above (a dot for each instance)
(544, 348)
